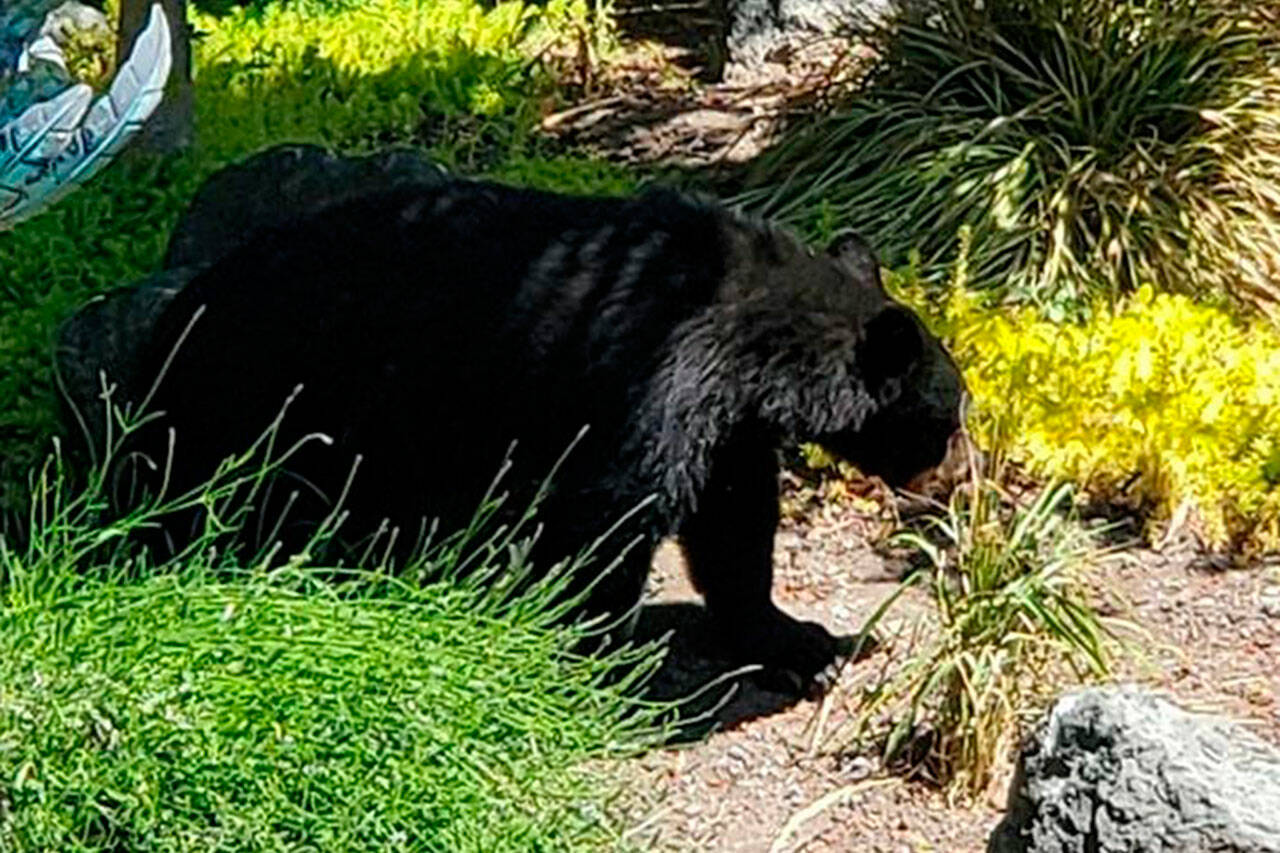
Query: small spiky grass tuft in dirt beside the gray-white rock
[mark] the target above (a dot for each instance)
(1012, 623)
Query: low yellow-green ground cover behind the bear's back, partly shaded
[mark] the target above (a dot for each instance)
(461, 80)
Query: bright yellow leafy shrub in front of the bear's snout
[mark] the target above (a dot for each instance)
(1163, 404)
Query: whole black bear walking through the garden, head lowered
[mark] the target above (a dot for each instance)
(433, 325)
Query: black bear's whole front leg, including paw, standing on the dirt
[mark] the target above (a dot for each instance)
(729, 549)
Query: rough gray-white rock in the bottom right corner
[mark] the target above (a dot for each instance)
(1122, 769)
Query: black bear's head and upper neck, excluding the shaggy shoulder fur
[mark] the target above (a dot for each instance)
(839, 363)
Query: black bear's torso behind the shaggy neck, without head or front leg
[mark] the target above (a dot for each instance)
(527, 311)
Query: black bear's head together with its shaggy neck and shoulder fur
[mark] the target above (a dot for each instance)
(801, 346)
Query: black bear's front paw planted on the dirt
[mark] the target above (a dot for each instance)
(798, 658)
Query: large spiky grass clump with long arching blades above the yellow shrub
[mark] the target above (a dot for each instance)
(1092, 147)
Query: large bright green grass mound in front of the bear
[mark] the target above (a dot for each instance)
(202, 706)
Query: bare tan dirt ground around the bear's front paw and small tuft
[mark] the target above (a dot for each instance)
(762, 783)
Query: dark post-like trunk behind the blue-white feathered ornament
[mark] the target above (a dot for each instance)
(172, 127)
